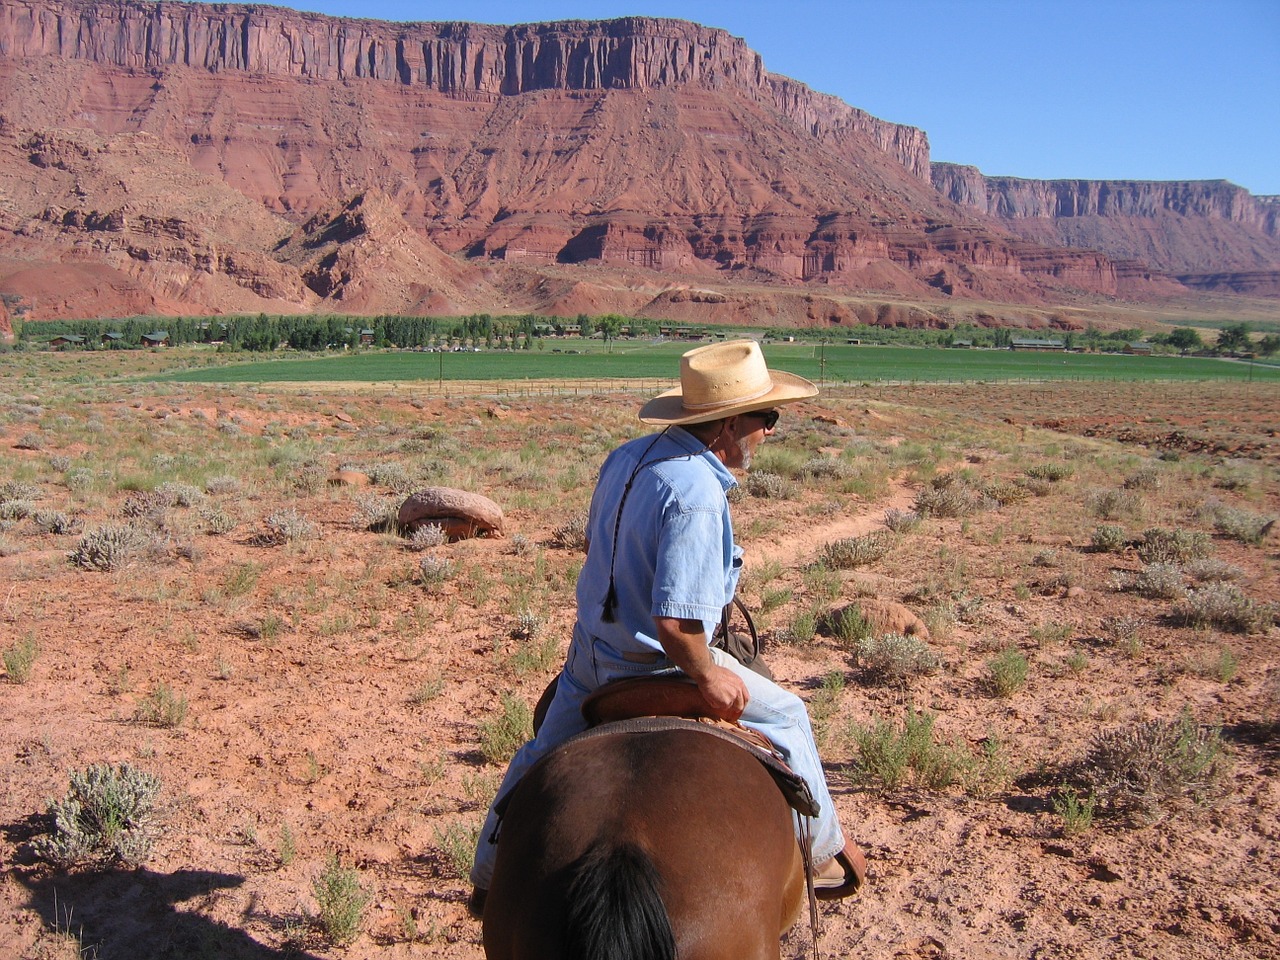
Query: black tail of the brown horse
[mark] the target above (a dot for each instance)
(616, 908)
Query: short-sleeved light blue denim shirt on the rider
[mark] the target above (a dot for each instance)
(675, 555)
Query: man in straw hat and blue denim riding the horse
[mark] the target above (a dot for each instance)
(661, 568)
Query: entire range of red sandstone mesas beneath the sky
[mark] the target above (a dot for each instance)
(204, 159)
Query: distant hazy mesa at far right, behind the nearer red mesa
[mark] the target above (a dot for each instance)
(1185, 228)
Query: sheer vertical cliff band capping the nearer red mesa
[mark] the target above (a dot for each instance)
(460, 60)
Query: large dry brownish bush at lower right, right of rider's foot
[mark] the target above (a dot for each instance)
(1145, 771)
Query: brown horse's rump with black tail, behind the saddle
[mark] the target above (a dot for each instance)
(644, 845)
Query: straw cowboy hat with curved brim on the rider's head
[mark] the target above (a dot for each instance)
(724, 380)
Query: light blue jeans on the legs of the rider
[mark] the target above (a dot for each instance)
(592, 664)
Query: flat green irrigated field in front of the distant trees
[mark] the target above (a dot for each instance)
(828, 364)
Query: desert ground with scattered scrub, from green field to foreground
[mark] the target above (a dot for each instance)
(317, 693)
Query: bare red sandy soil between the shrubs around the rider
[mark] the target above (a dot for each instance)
(321, 728)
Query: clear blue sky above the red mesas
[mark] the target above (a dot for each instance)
(1162, 90)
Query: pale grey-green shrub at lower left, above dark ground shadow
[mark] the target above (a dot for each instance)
(107, 817)
